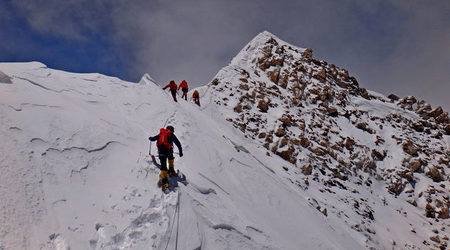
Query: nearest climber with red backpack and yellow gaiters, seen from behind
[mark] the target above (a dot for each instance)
(164, 143)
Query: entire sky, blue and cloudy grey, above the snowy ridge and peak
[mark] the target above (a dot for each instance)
(400, 47)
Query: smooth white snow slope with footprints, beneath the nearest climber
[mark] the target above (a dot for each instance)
(75, 173)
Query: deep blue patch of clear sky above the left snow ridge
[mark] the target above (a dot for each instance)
(94, 53)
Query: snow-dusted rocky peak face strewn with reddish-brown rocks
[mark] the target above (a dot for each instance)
(377, 164)
